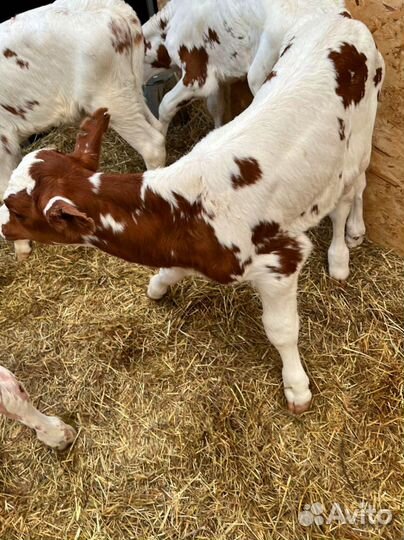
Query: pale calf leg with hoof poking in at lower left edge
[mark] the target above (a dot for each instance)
(15, 404)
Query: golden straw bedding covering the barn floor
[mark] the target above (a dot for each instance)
(183, 431)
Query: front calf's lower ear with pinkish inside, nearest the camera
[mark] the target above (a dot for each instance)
(67, 219)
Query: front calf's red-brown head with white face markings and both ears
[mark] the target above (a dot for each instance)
(42, 201)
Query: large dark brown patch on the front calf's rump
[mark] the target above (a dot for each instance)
(351, 74)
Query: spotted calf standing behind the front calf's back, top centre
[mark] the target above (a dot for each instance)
(215, 42)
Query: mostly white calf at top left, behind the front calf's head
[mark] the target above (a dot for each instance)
(68, 58)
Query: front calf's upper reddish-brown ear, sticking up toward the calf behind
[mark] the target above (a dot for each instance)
(89, 140)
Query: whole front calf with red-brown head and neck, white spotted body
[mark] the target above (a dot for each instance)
(237, 207)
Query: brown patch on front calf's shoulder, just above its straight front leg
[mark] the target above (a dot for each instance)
(268, 238)
